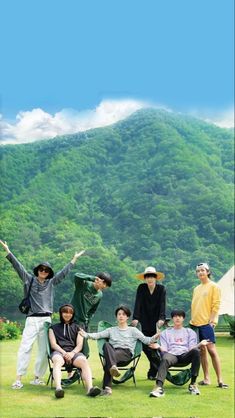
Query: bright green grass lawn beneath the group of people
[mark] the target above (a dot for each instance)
(126, 401)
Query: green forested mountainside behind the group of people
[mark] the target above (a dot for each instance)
(154, 189)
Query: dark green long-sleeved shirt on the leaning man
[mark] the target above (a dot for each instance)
(85, 298)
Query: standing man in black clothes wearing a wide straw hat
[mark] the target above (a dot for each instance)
(149, 311)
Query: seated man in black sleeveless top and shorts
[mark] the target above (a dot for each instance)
(66, 345)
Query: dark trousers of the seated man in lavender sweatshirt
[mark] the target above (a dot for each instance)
(168, 360)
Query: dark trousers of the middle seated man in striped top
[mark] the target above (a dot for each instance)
(114, 356)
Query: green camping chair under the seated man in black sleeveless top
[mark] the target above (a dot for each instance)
(64, 368)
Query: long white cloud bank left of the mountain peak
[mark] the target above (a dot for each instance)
(38, 124)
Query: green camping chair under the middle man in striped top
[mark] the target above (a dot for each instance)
(122, 366)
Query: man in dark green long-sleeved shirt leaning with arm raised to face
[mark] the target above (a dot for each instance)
(87, 295)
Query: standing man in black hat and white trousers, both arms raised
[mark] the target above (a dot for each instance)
(41, 299)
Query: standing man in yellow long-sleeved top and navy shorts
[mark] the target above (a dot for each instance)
(204, 316)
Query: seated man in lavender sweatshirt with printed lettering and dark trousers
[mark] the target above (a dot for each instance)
(178, 346)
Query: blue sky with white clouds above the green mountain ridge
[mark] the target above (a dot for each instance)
(70, 58)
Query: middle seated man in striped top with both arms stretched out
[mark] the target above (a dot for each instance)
(120, 347)
